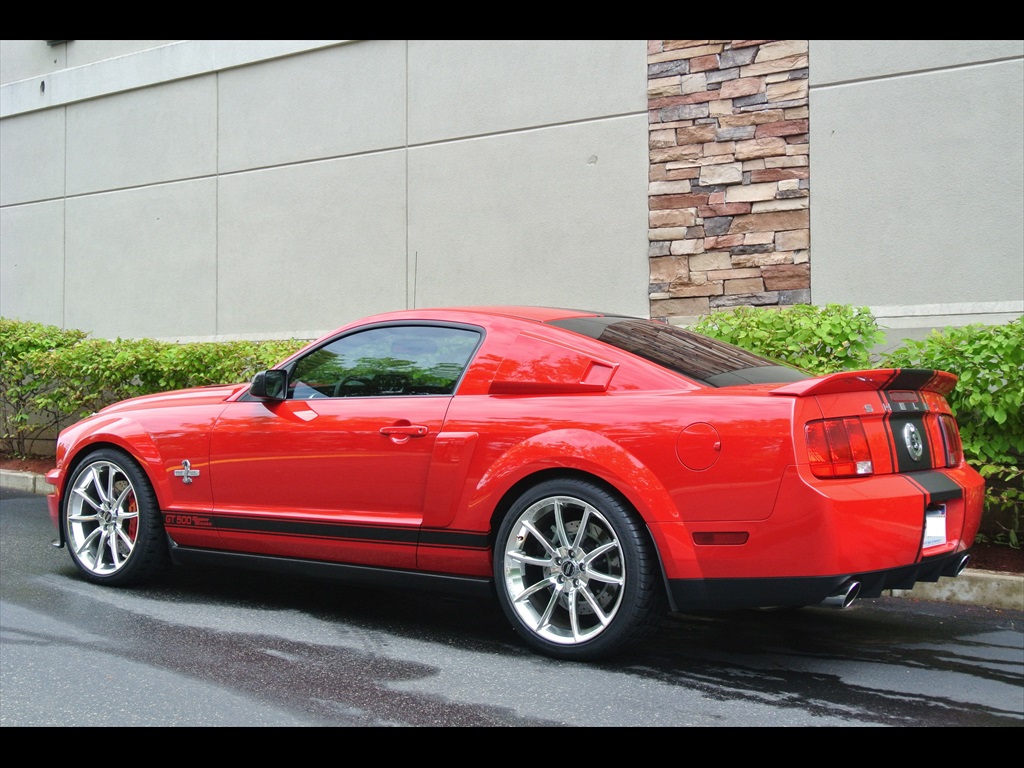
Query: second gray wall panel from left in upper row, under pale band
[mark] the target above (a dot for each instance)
(144, 137)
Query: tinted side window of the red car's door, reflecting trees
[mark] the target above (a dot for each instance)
(386, 362)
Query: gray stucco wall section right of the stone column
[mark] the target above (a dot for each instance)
(918, 180)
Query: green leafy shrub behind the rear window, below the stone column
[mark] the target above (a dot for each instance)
(820, 340)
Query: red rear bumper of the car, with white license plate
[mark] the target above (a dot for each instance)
(822, 533)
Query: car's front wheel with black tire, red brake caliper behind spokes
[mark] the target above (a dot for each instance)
(112, 522)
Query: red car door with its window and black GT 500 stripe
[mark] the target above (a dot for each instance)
(338, 470)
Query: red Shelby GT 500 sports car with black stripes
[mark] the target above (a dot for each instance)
(593, 471)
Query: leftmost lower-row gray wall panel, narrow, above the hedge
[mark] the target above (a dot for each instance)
(32, 263)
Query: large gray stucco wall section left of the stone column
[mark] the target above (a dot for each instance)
(197, 190)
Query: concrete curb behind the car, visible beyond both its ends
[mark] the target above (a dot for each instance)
(988, 588)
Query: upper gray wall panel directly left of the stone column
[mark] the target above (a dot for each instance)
(473, 88)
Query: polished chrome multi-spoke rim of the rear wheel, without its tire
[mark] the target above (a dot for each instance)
(565, 570)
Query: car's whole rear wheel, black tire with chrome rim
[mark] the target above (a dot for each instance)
(576, 573)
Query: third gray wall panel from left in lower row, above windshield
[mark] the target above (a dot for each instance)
(305, 249)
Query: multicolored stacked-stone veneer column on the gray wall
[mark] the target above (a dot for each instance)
(729, 211)
